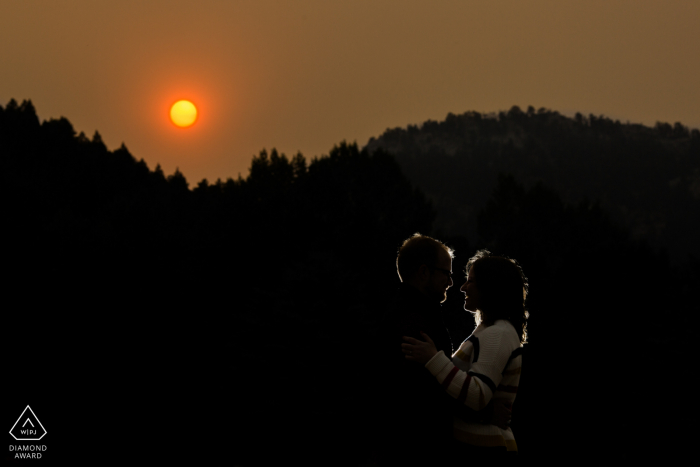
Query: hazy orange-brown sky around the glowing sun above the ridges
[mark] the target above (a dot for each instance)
(305, 75)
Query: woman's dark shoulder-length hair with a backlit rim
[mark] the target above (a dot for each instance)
(503, 289)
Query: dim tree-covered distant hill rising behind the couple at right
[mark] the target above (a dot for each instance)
(648, 179)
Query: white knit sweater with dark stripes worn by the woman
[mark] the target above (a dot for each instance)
(486, 365)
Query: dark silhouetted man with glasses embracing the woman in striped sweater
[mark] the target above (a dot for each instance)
(419, 413)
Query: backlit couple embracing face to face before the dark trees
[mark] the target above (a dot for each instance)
(447, 406)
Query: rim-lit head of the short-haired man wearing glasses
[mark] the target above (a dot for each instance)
(426, 264)
